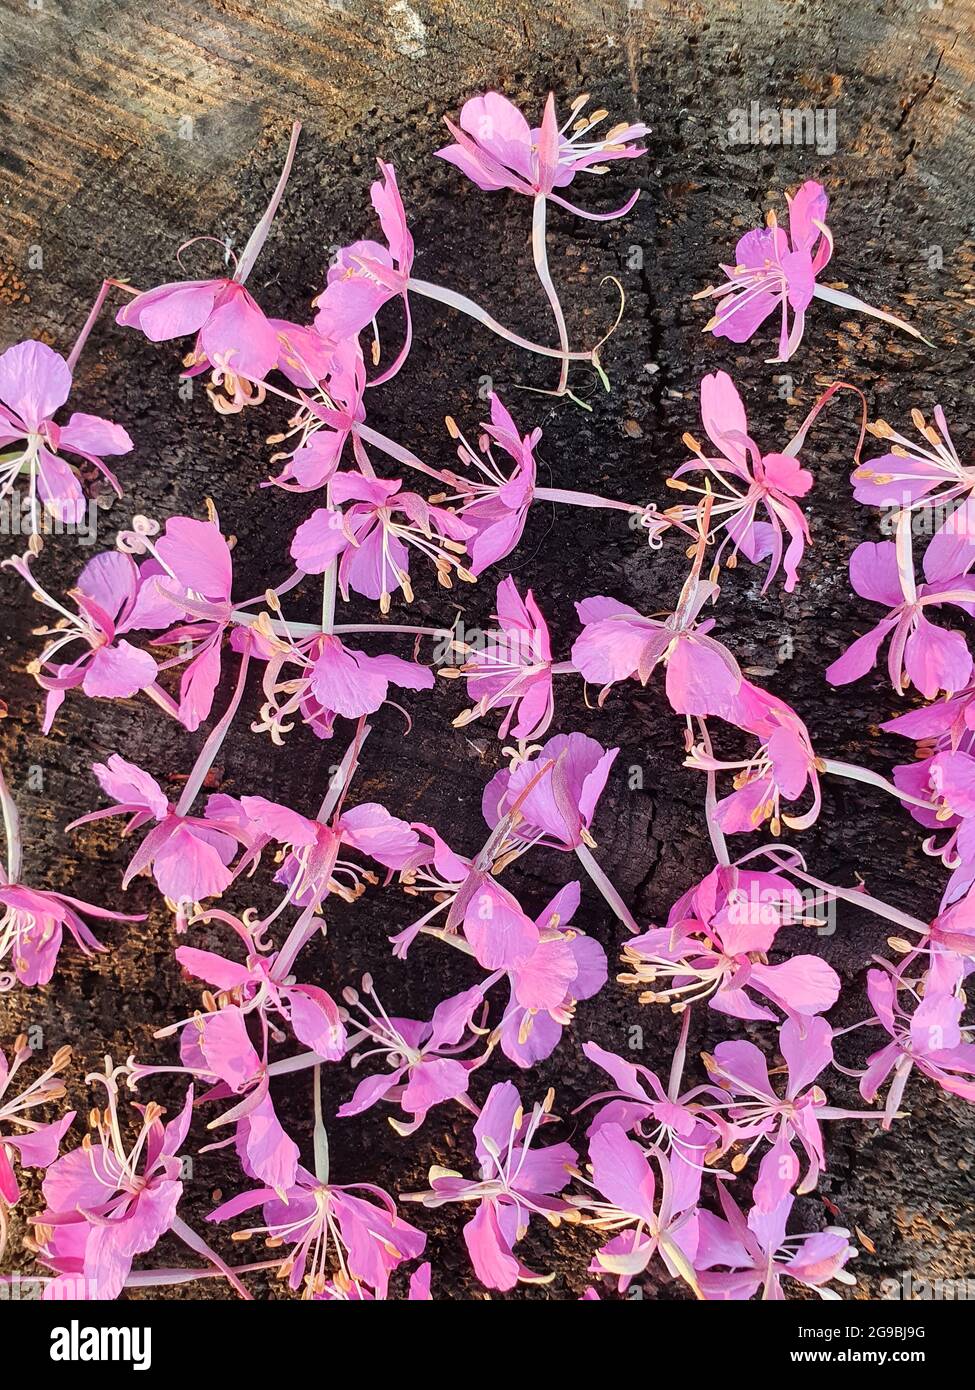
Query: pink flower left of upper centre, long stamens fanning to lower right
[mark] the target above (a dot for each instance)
(373, 536)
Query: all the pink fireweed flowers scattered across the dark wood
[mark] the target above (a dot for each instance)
(693, 1171)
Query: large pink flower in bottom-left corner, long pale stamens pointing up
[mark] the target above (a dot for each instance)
(109, 1203)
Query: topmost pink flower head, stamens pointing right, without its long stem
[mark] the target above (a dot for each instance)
(497, 148)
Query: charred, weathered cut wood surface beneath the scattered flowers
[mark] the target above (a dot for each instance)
(95, 173)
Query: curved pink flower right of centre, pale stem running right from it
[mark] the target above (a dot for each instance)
(781, 769)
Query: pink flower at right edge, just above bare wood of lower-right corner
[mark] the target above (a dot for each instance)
(930, 1038)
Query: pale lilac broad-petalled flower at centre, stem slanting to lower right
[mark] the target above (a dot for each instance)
(558, 811)
